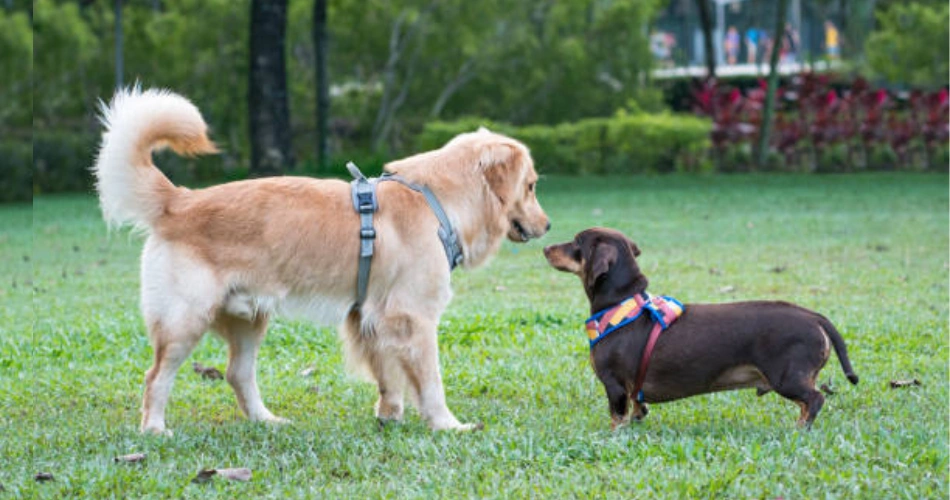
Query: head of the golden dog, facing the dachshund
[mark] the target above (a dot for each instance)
(508, 171)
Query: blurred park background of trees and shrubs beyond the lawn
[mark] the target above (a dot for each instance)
(593, 87)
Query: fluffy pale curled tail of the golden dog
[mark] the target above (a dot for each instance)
(131, 189)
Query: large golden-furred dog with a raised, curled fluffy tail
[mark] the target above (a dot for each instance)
(229, 257)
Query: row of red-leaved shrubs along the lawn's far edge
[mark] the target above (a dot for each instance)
(832, 124)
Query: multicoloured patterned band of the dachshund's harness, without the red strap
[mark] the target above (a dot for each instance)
(664, 310)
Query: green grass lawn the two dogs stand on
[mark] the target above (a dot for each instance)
(869, 251)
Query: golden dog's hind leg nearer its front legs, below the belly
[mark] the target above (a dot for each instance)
(244, 339)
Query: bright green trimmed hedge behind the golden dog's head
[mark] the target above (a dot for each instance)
(623, 144)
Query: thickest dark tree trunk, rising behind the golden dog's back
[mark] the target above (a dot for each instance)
(271, 152)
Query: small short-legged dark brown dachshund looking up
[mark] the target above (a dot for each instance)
(712, 347)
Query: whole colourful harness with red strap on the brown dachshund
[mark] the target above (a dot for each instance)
(663, 310)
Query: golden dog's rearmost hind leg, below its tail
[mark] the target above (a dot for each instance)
(170, 352)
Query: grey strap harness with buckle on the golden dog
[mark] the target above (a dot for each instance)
(366, 204)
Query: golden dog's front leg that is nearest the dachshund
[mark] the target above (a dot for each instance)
(422, 371)
